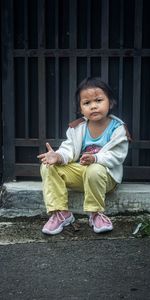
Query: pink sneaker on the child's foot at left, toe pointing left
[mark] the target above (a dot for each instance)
(56, 222)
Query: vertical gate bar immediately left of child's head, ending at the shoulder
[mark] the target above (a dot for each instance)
(72, 59)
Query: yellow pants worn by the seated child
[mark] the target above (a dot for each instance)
(93, 180)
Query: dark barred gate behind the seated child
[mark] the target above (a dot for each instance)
(49, 46)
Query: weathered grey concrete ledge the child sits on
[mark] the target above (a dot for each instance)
(20, 199)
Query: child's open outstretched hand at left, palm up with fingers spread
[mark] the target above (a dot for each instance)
(50, 157)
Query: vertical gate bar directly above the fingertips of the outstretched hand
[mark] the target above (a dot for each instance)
(41, 73)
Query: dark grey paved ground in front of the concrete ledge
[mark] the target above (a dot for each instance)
(76, 264)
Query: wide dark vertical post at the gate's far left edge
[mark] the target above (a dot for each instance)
(8, 90)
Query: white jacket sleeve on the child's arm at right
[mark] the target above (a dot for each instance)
(115, 152)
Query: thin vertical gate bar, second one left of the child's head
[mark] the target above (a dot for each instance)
(56, 71)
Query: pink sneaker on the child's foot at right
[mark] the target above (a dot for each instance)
(100, 222)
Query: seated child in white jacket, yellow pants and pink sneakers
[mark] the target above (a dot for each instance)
(89, 160)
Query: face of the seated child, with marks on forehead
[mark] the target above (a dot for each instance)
(94, 104)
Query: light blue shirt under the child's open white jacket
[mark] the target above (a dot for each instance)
(93, 145)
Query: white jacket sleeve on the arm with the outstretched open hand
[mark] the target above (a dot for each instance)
(66, 149)
